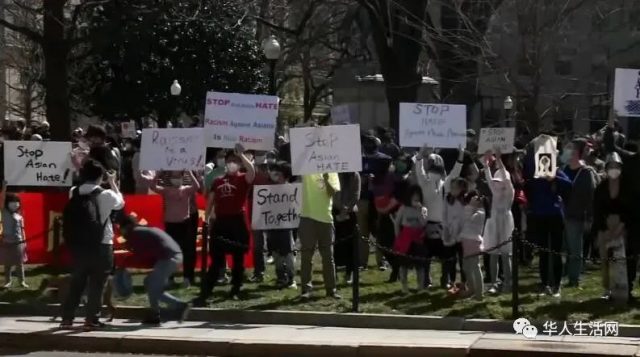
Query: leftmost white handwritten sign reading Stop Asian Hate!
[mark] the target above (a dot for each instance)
(37, 163)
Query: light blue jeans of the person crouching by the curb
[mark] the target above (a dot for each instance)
(156, 282)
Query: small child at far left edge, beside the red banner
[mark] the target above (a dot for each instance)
(13, 246)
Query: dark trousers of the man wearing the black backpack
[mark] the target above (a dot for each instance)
(90, 268)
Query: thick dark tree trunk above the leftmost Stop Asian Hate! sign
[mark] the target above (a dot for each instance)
(55, 52)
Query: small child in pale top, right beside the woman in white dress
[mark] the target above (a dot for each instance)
(472, 247)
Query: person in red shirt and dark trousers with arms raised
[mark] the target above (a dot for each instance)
(226, 216)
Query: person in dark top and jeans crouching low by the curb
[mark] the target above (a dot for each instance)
(153, 247)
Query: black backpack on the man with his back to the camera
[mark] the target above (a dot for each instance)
(82, 226)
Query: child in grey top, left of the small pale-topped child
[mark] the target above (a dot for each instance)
(454, 216)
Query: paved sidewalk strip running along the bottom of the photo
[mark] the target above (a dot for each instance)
(210, 339)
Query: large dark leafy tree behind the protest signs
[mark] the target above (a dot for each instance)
(138, 47)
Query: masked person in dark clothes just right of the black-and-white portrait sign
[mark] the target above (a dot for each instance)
(578, 209)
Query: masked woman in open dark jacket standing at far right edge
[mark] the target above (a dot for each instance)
(611, 198)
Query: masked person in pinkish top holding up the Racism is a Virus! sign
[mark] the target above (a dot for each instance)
(177, 216)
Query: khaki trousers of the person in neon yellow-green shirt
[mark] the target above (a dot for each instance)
(314, 234)
